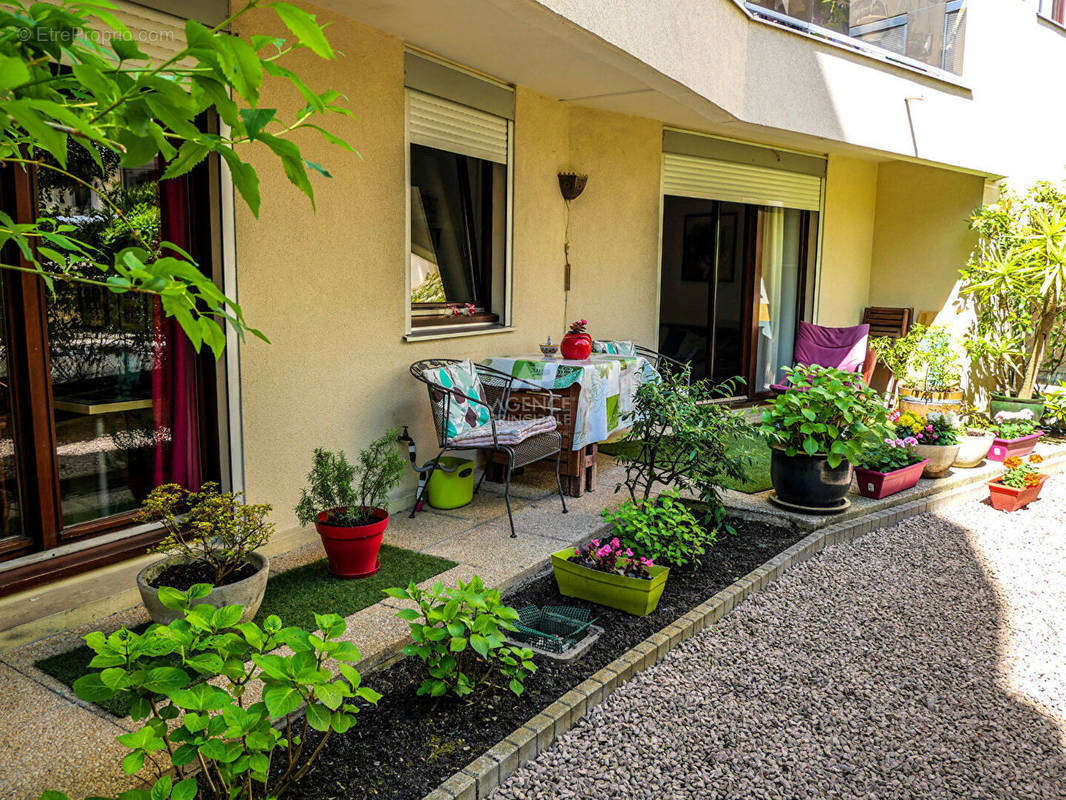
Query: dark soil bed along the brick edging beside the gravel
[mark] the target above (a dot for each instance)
(407, 746)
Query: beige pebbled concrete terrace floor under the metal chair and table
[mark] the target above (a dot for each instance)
(50, 740)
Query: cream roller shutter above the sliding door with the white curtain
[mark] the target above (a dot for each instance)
(691, 177)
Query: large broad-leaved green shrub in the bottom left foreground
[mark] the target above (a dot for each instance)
(166, 671)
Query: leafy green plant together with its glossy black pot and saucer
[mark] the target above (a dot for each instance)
(817, 430)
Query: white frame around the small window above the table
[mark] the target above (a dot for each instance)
(441, 328)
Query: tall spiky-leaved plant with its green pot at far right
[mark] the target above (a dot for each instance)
(1016, 280)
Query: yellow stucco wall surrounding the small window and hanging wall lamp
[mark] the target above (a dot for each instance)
(328, 289)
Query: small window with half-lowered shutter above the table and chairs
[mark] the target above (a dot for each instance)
(460, 177)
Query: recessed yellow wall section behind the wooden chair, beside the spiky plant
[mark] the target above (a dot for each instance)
(923, 236)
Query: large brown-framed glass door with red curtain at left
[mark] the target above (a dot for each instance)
(103, 397)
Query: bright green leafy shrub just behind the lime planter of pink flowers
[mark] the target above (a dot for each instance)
(665, 531)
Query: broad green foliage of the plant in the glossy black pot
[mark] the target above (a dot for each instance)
(825, 412)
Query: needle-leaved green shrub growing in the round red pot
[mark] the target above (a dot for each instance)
(350, 494)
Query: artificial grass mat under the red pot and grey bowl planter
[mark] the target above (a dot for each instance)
(296, 596)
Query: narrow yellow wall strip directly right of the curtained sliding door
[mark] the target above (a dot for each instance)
(848, 232)
